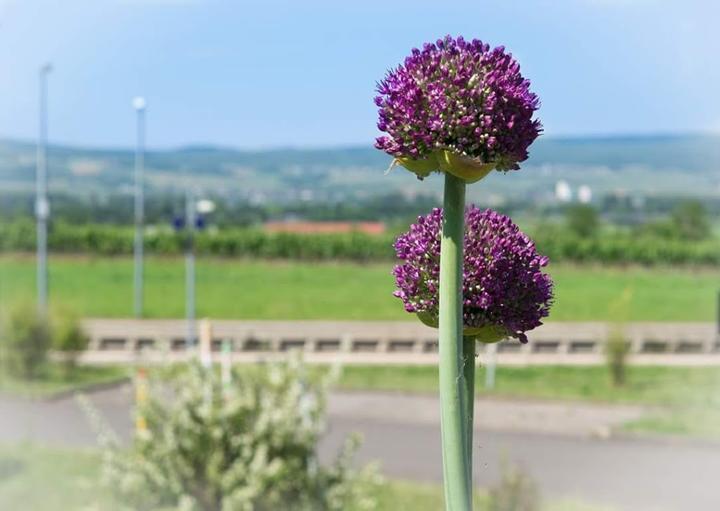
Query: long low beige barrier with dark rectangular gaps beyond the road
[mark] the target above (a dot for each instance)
(127, 340)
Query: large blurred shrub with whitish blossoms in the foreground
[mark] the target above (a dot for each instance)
(247, 445)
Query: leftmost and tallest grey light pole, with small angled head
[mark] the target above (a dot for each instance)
(42, 206)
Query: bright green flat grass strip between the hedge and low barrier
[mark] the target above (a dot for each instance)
(293, 290)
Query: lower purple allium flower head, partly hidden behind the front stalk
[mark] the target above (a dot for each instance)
(504, 288)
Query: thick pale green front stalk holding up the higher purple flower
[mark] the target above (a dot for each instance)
(458, 489)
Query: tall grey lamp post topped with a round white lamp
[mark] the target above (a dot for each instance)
(139, 106)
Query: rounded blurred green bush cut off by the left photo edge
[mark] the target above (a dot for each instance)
(26, 339)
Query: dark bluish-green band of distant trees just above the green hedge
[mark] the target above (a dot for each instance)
(391, 208)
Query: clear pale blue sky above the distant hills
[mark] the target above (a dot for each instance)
(302, 73)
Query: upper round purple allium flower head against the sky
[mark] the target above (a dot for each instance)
(458, 97)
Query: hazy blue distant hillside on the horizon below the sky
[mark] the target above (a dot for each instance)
(652, 165)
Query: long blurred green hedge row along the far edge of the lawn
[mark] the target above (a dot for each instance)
(558, 244)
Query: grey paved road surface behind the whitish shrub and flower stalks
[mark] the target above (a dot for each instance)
(402, 432)
